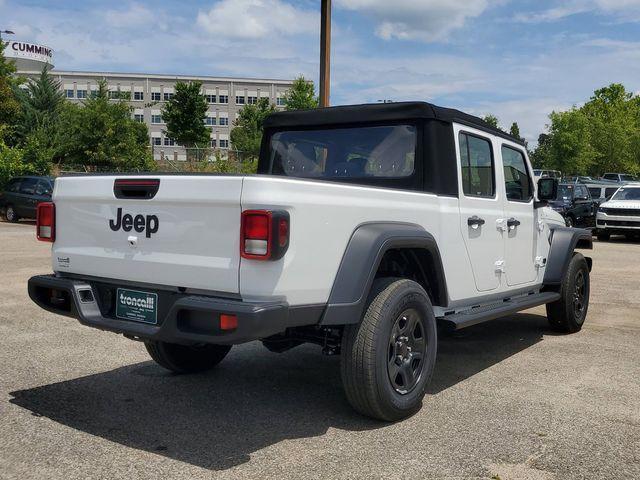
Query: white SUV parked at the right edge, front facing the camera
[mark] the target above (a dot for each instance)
(620, 214)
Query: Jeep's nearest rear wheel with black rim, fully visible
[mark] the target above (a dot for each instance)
(388, 358)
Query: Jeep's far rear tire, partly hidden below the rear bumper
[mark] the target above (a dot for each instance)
(186, 358)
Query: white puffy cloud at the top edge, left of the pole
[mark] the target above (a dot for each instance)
(252, 19)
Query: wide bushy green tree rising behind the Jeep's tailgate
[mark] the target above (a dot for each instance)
(101, 133)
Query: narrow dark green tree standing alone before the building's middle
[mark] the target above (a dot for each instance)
(185, 114)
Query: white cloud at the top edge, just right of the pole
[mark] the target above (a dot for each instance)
(426, 20)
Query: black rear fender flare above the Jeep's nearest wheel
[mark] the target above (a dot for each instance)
(367, 245)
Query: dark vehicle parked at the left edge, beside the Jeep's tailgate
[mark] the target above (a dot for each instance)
(22, 195)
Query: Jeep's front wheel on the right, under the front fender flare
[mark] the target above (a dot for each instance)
(567, 314)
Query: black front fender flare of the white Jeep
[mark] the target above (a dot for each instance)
(564, 241)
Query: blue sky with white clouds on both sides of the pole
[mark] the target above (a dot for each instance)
(519, 60)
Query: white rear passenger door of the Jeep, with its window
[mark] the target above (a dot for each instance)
(481, 207)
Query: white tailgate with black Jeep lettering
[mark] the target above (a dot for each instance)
(187, 235)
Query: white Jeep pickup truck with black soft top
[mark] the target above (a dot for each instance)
(364, 228)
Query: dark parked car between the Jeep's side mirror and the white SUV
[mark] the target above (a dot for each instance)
(575, 204)
